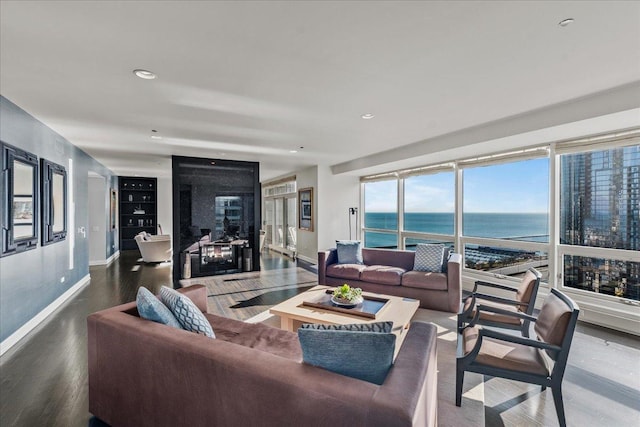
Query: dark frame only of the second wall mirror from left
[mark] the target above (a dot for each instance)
(48, 170)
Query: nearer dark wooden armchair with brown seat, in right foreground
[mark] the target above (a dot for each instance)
(498, 354)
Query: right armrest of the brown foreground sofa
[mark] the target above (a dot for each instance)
(409, 394)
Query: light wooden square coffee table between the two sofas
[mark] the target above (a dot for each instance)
(293, 313)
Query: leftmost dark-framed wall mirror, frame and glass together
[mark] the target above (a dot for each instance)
(19, 200)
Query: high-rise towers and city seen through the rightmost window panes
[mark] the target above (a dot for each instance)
(600, 207)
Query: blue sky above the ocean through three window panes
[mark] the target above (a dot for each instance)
(516, 187)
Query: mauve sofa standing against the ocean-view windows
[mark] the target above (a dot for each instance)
(390, 272)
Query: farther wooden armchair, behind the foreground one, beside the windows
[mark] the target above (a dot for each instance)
(523, 302)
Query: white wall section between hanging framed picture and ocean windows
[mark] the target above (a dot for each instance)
(336, 194)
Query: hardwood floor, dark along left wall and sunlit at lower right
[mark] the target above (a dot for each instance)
(44, 377)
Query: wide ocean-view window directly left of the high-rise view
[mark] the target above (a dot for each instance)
(505, 216)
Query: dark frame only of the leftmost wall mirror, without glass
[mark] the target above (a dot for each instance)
(9, 244)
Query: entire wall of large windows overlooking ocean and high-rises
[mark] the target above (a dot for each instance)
(570, 209)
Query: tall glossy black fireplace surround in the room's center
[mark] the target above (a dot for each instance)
(216, 215)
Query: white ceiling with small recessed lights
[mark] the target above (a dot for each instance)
(254, 80)
